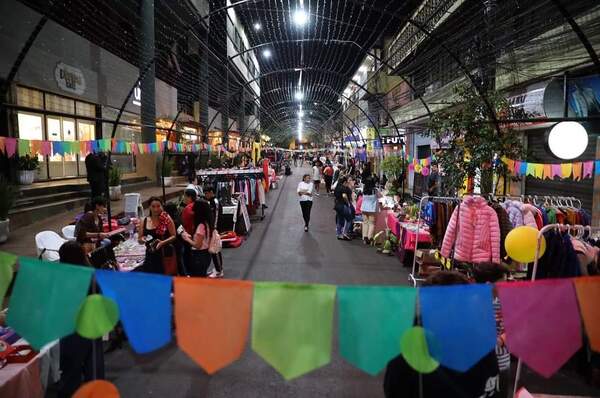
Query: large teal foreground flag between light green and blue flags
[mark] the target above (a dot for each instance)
(391, 308)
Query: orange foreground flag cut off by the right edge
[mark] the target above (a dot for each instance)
(588, 295)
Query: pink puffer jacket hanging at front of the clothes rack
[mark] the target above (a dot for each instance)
(478, 239)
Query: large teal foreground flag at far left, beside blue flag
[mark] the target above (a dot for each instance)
(46, 300)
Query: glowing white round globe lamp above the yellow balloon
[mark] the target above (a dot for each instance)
(568, 140)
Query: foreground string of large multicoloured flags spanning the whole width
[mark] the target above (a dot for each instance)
(291, 325)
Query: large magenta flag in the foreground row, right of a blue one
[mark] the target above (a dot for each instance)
(529, 308)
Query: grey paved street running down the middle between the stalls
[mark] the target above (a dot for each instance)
(278, 249)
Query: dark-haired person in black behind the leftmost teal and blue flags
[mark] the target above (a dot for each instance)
(81, 360)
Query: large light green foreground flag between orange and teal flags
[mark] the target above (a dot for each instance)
(292, 326)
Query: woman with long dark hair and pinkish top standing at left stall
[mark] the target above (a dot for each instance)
(203, 227)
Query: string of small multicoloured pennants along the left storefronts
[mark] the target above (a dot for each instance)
(17, 146)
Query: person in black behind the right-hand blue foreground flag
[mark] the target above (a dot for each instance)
(481, 380)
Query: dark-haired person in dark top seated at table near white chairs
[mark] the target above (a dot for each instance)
(88, 230)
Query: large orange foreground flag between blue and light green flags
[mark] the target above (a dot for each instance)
(212, 320)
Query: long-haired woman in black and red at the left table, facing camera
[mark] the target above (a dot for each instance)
(158, 232)
